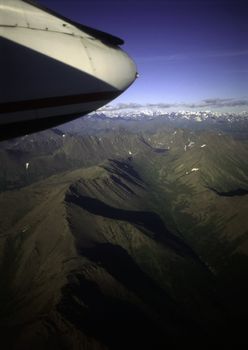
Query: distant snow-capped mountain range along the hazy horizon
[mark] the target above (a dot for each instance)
(151, 119)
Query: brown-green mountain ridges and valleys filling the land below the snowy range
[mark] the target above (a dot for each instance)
(123, 238)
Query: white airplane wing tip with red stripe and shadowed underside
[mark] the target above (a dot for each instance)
(53, 69)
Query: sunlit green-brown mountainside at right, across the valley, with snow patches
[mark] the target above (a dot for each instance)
(203, 180)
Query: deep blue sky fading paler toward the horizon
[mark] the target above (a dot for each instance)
(186, 51)
